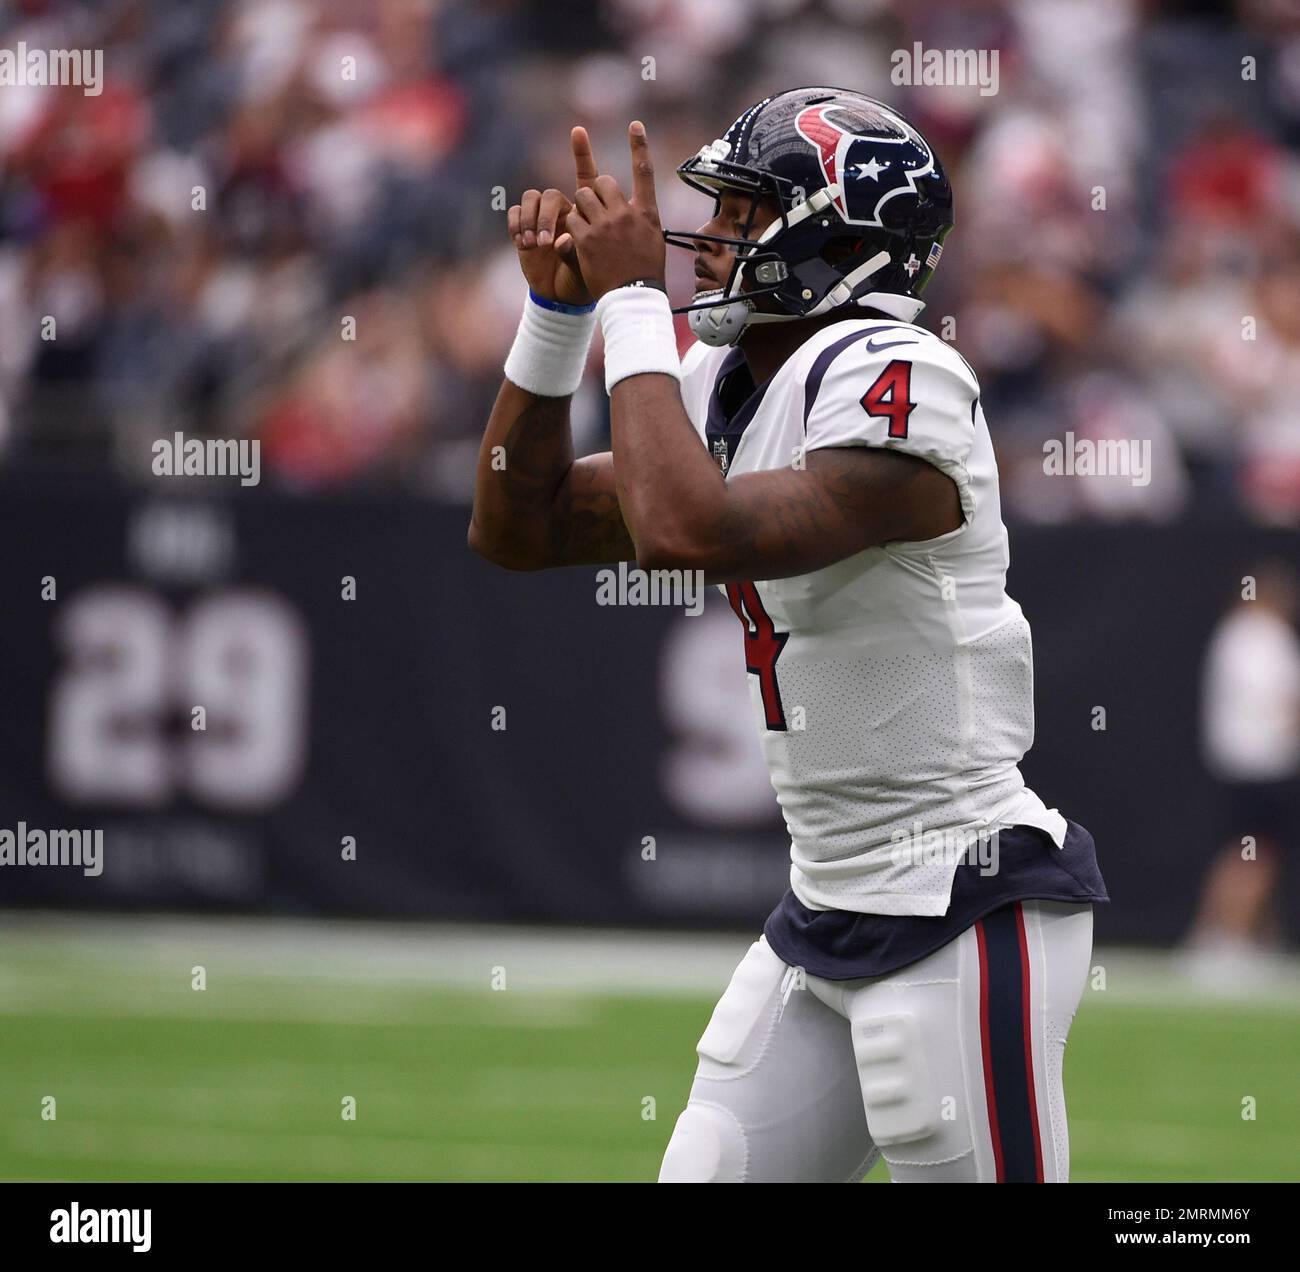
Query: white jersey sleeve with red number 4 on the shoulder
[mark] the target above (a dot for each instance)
(918, 397)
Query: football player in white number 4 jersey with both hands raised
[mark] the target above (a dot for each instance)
(825, 461)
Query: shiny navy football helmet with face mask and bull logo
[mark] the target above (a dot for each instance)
(855, 181)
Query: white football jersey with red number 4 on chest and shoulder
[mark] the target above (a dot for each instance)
(894, 690)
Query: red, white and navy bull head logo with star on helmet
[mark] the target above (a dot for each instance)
(869, 168)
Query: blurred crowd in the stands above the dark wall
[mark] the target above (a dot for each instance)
(1126, 262)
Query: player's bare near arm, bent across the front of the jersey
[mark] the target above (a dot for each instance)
(684, 516)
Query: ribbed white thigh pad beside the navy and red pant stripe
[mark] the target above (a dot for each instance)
(898, 1094)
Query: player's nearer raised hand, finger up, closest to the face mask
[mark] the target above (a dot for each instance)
(619, 240)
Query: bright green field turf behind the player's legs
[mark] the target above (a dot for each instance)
(457, 1081)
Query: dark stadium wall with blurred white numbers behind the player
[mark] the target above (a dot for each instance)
(502, 747)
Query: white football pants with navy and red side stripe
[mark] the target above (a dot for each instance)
(950, 1067)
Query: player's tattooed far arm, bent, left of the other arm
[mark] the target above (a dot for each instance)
(535, 505)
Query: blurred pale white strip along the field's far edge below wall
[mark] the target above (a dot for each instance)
(410, 957)
